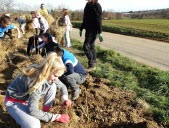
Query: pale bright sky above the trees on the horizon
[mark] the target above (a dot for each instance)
(113, 5)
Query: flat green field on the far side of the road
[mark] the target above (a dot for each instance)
(157, 29)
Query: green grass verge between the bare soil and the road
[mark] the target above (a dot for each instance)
(149, 83)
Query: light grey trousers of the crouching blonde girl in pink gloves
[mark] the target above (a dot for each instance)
(21, 114)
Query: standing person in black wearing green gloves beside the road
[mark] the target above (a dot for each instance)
(92, 22)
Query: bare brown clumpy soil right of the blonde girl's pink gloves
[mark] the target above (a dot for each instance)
(101, 106)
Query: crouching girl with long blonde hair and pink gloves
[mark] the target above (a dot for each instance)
(33, 83)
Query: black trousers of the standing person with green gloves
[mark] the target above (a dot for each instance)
(89, 47)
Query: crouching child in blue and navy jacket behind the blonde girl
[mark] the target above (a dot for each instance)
(75, 73)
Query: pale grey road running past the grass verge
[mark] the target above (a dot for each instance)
(153, 53)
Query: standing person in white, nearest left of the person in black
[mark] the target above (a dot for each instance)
(68, 27)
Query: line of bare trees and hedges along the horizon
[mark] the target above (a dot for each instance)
(77, 15)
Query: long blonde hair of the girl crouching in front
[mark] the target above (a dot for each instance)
(38, 73)
